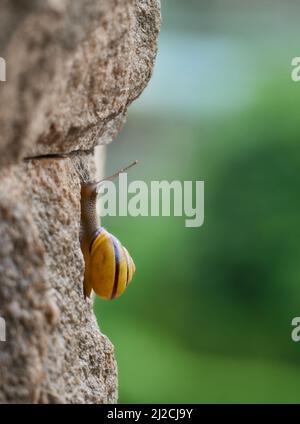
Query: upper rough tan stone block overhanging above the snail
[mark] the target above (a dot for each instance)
(73, 67)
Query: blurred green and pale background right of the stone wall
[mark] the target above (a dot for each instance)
(208, 315)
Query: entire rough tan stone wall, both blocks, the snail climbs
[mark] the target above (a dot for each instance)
(73, 67)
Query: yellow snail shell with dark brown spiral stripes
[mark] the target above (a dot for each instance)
(110, 267)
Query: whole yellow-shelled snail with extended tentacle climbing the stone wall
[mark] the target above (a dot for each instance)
(109, 267)
